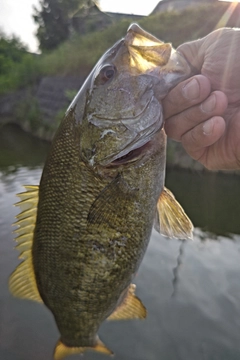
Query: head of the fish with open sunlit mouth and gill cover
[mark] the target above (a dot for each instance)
(123, 93)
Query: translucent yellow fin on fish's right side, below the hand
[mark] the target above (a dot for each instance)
(171, 219)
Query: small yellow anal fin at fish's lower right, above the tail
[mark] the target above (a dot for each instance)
(130, 308)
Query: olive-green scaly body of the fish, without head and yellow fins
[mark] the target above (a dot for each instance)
(91, 234)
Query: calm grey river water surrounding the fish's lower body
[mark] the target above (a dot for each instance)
(191, 289)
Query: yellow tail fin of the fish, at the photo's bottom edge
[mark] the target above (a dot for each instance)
(61, 350)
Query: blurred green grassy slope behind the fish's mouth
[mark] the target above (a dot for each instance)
(78, 55)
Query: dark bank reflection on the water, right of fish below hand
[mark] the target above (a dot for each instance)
(212, 199)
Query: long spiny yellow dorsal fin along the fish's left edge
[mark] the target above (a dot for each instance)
(22, 281)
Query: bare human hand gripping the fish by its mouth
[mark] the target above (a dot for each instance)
(204, 112)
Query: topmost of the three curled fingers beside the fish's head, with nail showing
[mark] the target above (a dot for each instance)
(186, 94)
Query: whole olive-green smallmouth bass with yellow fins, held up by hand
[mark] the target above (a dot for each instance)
(84, 231)
